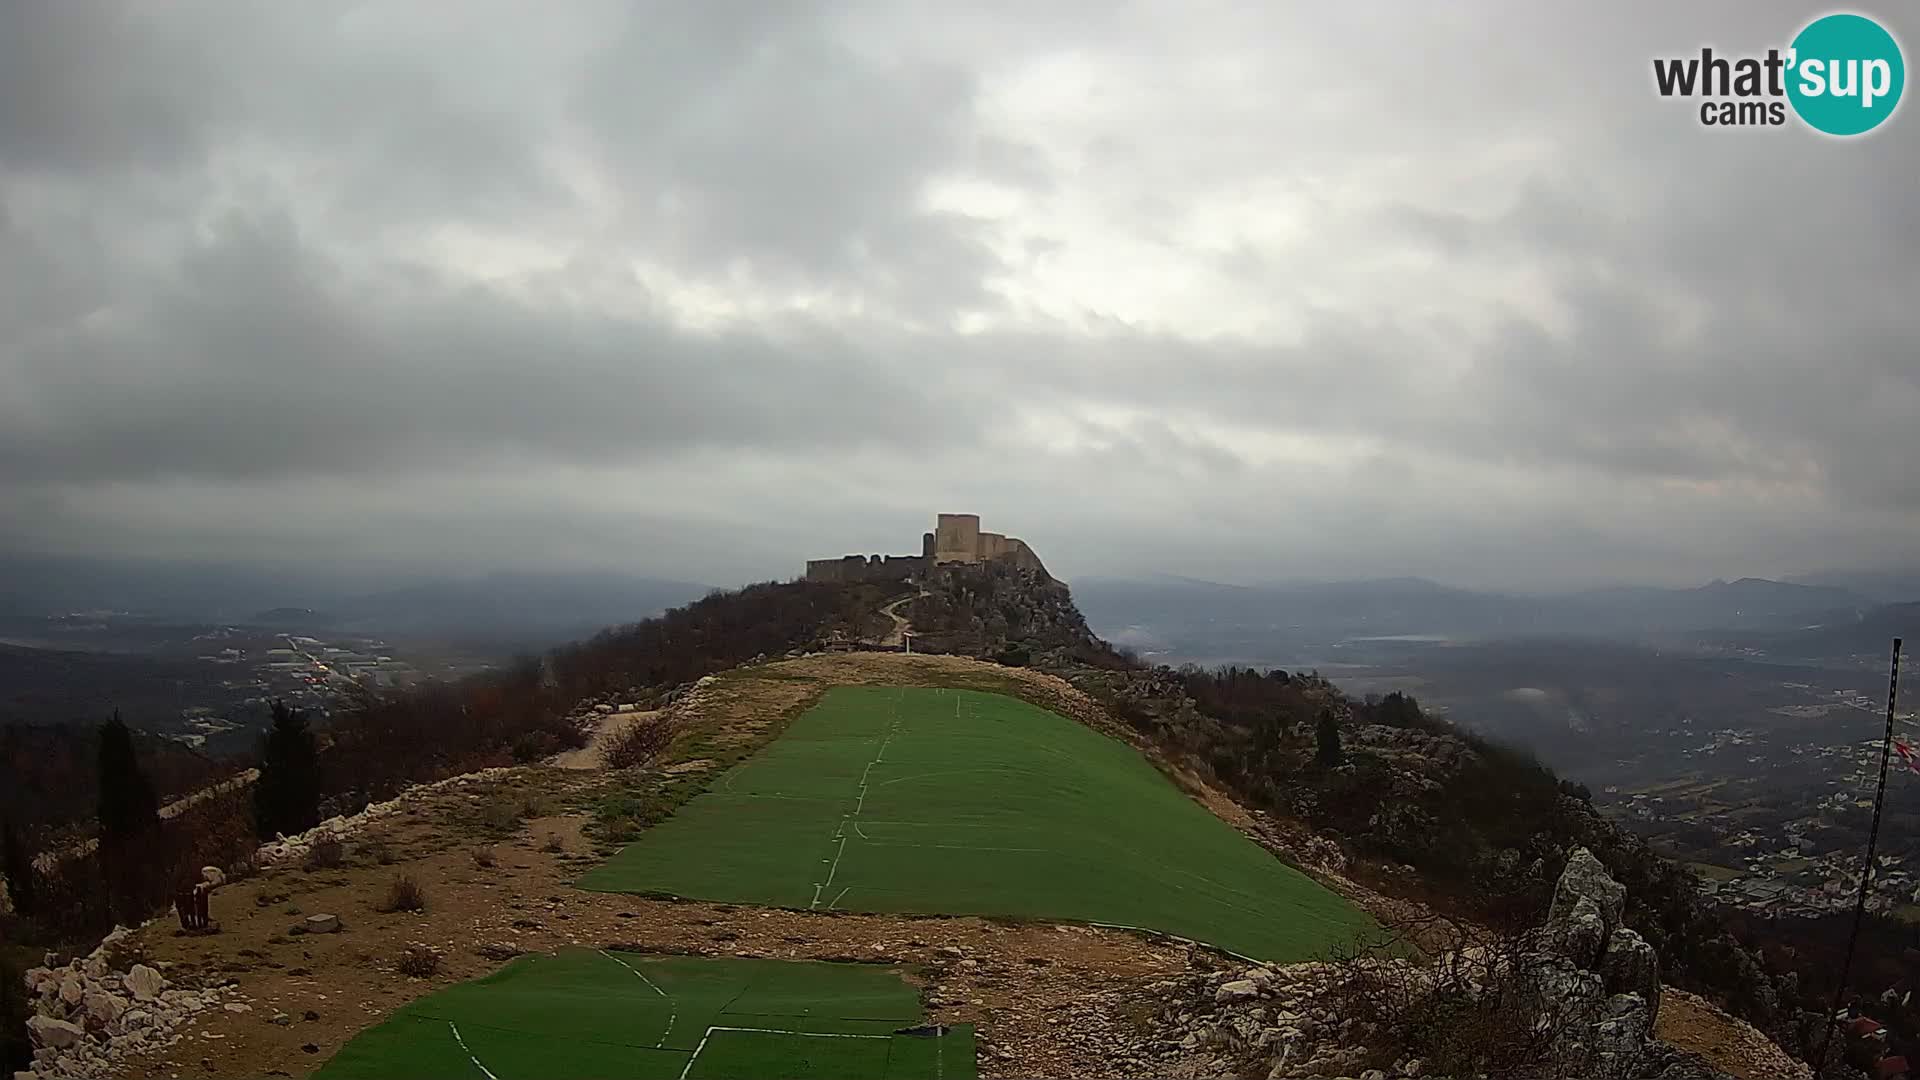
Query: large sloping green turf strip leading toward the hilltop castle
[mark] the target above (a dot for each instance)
(955, 802)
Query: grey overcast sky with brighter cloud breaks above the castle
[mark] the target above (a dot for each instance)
(704, 289)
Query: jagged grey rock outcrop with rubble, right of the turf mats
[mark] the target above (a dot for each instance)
(1581, 994)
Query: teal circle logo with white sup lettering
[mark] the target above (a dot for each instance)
(1846, 74)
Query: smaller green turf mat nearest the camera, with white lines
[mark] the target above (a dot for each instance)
(596, 1016)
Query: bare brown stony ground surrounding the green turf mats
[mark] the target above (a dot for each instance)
(279, 987)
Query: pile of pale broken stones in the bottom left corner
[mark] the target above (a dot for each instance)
(91, 1014)
